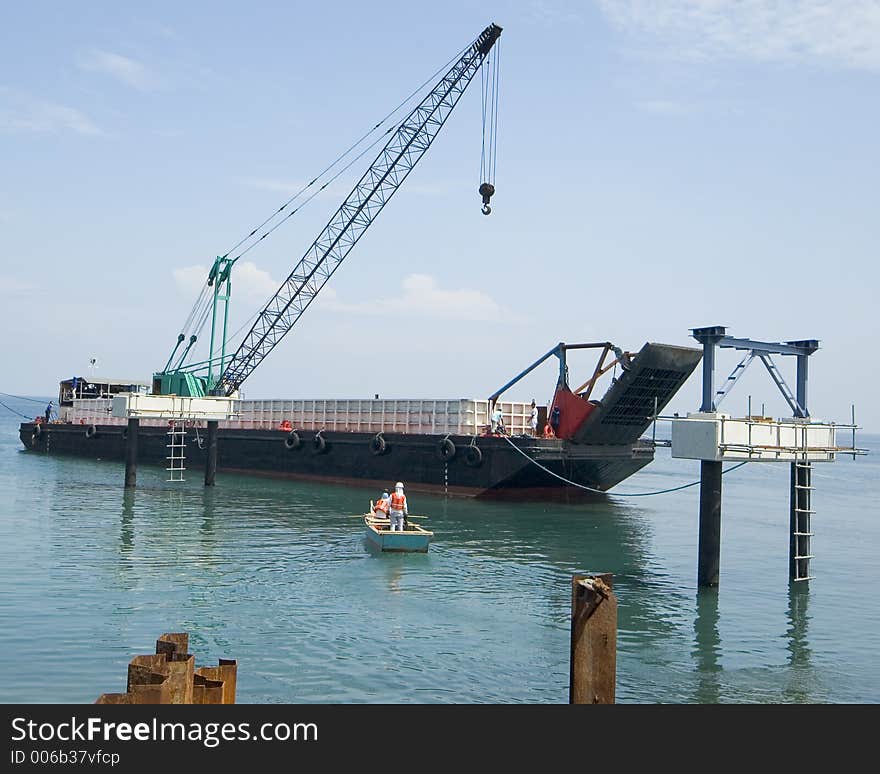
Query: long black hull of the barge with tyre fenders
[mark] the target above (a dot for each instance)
(519, 467)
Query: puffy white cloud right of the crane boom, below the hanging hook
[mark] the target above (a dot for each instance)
(421, 296)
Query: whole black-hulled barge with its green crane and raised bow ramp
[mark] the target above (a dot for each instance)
(449, 446)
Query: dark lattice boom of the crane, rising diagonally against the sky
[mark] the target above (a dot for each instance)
(372, 192)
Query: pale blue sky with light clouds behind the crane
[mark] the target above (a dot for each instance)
(660, 166)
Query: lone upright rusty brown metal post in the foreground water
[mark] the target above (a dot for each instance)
(593, 665)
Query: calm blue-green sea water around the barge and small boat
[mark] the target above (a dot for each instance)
(278, 575)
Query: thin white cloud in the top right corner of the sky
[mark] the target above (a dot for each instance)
(844, 33)
